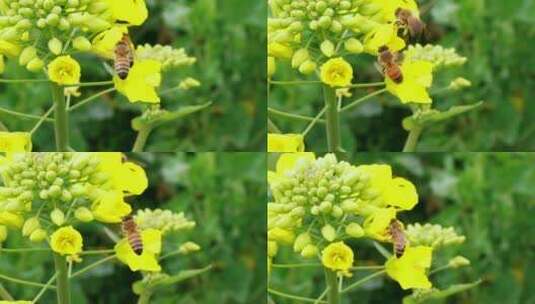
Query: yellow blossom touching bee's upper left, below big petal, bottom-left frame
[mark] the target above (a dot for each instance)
(109, 206)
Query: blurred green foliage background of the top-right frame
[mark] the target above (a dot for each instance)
(497, 37)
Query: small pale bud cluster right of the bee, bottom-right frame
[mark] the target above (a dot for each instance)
(431, 235)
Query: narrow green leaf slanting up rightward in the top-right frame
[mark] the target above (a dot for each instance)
(434, 116)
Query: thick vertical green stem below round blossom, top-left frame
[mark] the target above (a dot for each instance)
(61, 123)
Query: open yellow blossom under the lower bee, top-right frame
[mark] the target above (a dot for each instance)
(417, 77)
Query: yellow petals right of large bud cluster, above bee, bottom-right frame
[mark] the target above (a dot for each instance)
(397, 192)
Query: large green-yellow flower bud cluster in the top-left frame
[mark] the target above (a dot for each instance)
(35, 28)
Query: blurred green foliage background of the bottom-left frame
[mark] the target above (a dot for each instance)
(224, 193)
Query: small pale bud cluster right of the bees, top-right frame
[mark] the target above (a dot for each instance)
(436, 54)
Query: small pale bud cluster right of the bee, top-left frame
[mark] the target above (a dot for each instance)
(168, 56)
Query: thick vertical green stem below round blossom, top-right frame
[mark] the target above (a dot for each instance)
(332, 119)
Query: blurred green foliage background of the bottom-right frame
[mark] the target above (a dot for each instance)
(488, 197)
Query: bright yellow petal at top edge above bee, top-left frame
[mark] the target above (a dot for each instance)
(133, 12)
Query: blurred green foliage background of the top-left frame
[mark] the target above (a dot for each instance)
(228, 40)
